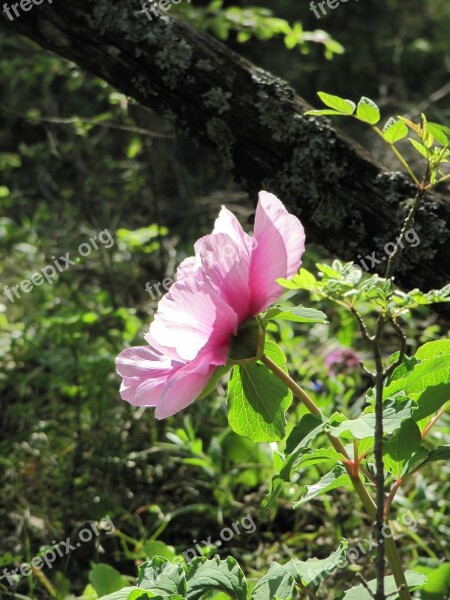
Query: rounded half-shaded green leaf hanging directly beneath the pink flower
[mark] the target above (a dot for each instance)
(257, 402)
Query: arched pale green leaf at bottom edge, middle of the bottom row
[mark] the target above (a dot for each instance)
(205, 575)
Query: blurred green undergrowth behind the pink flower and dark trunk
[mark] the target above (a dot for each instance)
(77, 157)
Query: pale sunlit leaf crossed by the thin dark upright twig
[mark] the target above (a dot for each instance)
(394, 414)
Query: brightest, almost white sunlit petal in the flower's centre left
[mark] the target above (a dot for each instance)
(191, 317)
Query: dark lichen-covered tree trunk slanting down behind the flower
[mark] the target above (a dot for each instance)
(254, 122)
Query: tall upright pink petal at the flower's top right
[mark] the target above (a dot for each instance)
(280, 241)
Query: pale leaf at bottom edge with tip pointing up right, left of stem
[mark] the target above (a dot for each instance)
(312, 572)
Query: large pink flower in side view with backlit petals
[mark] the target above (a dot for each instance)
(231, 278)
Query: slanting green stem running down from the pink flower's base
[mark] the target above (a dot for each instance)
(366, 499)
